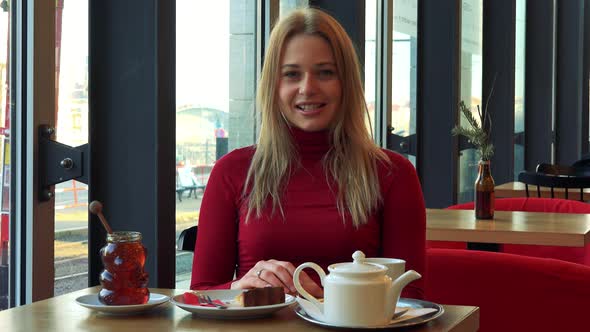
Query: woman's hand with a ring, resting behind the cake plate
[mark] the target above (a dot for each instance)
(278, 274)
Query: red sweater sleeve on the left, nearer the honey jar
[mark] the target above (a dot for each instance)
(215, 256)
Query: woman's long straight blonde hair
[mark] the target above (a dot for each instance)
(352, 159)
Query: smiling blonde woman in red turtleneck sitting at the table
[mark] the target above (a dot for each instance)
(315, 187)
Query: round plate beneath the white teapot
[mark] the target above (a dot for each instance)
(403, 302)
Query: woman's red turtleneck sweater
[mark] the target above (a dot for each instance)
(313, 229)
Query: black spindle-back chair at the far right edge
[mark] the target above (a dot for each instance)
(556, 176)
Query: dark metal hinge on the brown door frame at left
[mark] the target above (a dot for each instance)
(59, 163)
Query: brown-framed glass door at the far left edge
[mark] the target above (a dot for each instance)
(28, 101)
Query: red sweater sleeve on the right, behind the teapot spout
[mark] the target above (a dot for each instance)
(404, 222)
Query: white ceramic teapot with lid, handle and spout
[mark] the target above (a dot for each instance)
(357, 294)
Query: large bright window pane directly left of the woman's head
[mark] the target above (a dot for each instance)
(215, 99)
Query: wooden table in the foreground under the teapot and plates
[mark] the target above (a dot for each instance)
(63, 314)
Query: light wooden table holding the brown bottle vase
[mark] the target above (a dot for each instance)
(555, 229)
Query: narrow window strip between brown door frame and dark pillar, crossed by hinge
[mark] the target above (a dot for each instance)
(71, 113)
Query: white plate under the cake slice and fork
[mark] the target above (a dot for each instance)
(233, 311)
